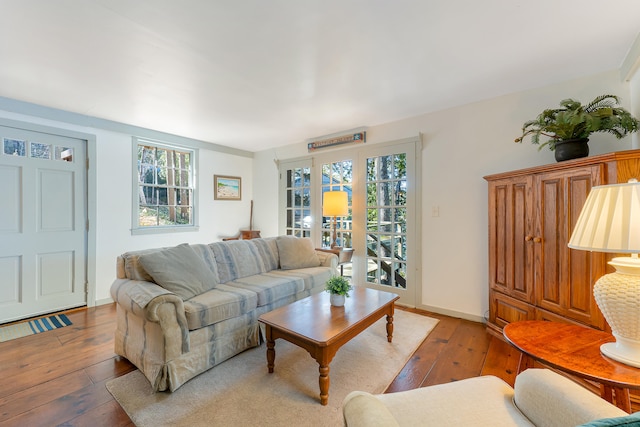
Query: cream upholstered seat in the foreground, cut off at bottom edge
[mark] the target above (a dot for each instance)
(540, 397)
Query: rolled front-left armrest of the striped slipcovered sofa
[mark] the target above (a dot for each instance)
(153, 303)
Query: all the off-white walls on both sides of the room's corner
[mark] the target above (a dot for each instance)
(461, 145)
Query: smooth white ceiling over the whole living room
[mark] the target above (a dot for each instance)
(256, 74)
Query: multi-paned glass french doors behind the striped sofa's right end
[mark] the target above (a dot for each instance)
(382, 225)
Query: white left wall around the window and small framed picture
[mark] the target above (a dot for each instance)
(113, 199)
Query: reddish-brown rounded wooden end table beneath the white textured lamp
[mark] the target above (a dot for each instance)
(575, 350)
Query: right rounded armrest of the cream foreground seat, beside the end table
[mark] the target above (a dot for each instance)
(547, 399)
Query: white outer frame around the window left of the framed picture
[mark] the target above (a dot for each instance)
(136, 229)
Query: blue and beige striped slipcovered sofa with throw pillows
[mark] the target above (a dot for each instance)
(185, 309)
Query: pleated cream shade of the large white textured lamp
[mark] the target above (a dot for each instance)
(610, 220)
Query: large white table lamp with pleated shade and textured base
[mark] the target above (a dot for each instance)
(610, 222)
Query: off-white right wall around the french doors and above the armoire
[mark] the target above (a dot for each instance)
(461, 145)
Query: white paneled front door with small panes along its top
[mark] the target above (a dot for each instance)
(43, 223)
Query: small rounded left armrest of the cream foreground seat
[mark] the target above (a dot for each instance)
(361, 409)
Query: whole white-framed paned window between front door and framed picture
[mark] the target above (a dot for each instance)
(165, 187)
